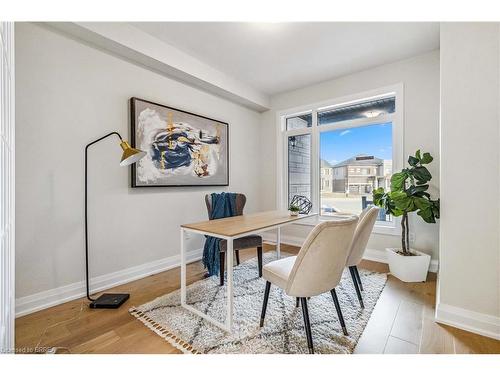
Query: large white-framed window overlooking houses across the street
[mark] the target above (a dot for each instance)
(337, 154)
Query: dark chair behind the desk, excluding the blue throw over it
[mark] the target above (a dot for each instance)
(242, 243)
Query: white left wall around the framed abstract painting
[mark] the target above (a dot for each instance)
(67, 95)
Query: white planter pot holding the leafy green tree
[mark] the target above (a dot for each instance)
(408, 268)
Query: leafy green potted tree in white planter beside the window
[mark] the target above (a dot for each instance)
(409, 194)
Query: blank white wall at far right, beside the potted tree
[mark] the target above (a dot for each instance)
(469, 251)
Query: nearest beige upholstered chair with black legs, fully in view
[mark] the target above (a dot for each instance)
(315, 270)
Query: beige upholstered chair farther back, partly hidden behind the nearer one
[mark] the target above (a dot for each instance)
(361, 235)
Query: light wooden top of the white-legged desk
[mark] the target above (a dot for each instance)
(237, 225)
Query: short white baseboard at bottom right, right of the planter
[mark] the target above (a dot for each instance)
(472, 321)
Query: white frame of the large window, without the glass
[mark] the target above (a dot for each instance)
(397, 118)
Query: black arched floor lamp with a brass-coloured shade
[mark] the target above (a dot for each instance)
(107, 300)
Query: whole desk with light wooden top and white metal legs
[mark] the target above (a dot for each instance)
(229, 229)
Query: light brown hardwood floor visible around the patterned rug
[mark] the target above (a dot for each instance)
(402, 321)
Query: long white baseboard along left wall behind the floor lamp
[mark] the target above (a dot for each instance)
(39, 301)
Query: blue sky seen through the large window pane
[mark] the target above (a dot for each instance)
(342, 144)
